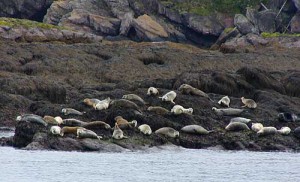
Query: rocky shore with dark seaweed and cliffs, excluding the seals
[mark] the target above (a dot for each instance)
(55, 54)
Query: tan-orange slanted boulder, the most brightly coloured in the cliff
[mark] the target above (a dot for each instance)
(148, 30)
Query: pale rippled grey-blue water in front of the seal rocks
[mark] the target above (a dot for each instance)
(168, 163)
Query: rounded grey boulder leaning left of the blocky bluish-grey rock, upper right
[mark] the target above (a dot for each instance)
(243, 24)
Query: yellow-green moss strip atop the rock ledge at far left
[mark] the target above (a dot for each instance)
(13, 22)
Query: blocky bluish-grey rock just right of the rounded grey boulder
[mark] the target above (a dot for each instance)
(266, 21)
